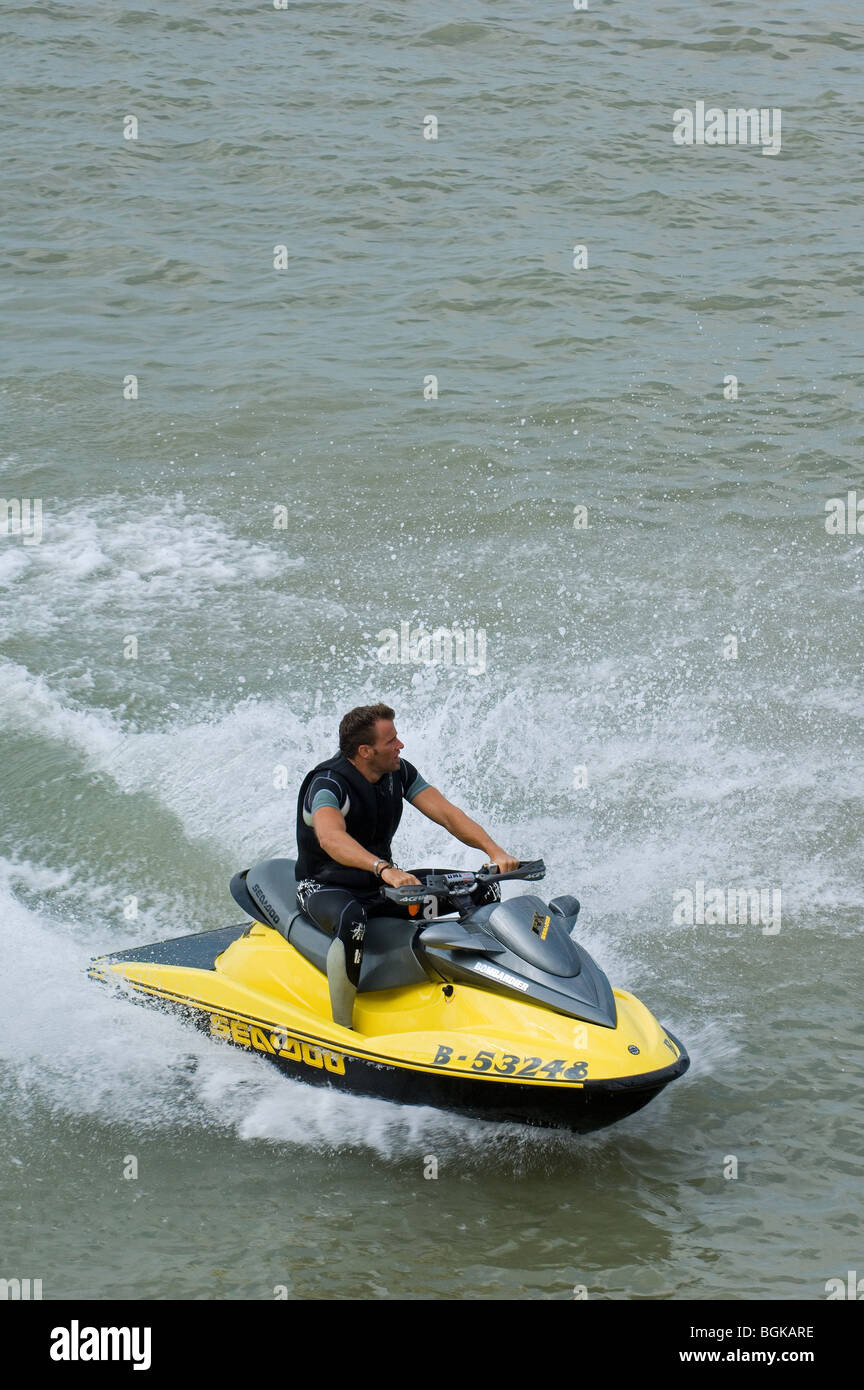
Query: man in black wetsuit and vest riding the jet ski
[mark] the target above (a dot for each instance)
(348, 814)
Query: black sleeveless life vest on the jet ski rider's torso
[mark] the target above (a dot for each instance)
(372, 818)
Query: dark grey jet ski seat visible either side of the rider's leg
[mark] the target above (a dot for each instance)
(388, 957)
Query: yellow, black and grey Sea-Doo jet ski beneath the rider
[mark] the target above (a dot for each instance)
(494, 1013)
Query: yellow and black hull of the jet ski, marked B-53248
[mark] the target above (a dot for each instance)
(456, 1047)
